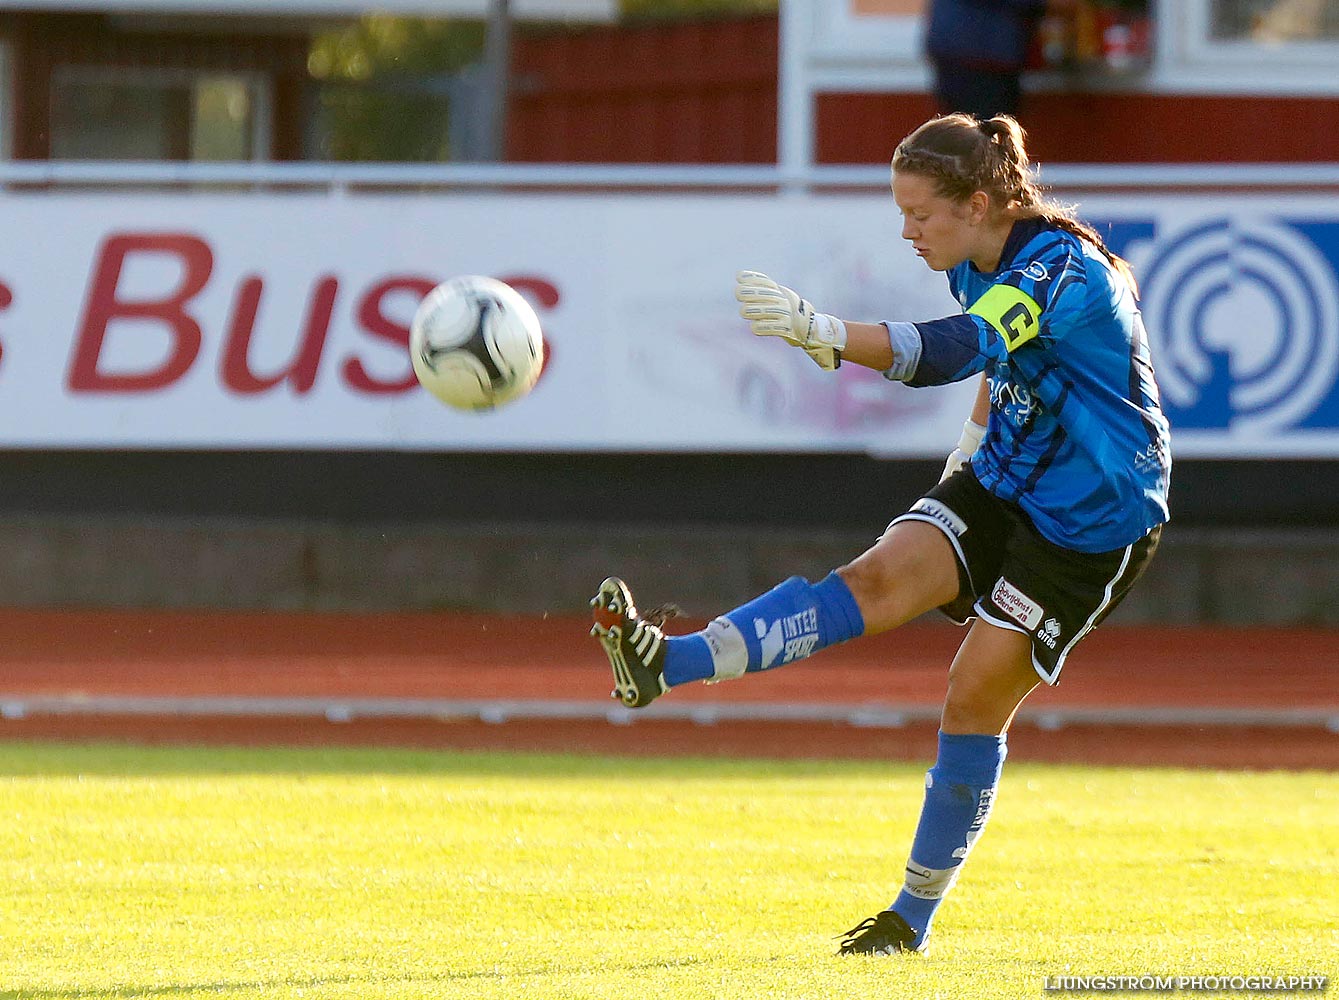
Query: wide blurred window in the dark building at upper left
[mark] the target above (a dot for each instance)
(102, 113)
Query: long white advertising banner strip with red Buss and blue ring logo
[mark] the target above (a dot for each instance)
(279, 322)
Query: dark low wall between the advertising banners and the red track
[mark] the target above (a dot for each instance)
(535, 533)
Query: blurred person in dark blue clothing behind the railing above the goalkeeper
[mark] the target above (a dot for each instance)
(979, 49)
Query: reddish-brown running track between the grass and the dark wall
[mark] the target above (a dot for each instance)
(488, 658)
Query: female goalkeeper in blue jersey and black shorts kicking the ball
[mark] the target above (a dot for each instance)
(1049, 509)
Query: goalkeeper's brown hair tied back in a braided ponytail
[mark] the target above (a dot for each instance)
(963, 155)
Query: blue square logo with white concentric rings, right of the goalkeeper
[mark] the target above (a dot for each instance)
(1245, 321)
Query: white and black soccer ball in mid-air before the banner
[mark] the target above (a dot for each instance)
(476, 343)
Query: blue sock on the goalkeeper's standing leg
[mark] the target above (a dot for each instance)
(959, 795)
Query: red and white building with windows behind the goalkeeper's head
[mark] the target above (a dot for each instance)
(1116, 82)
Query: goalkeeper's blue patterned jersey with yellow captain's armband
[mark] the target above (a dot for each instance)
(1076, 436)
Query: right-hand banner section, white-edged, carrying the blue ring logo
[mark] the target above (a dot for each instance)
(1242, 301)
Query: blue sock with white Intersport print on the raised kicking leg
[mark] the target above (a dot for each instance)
(791, 622)
